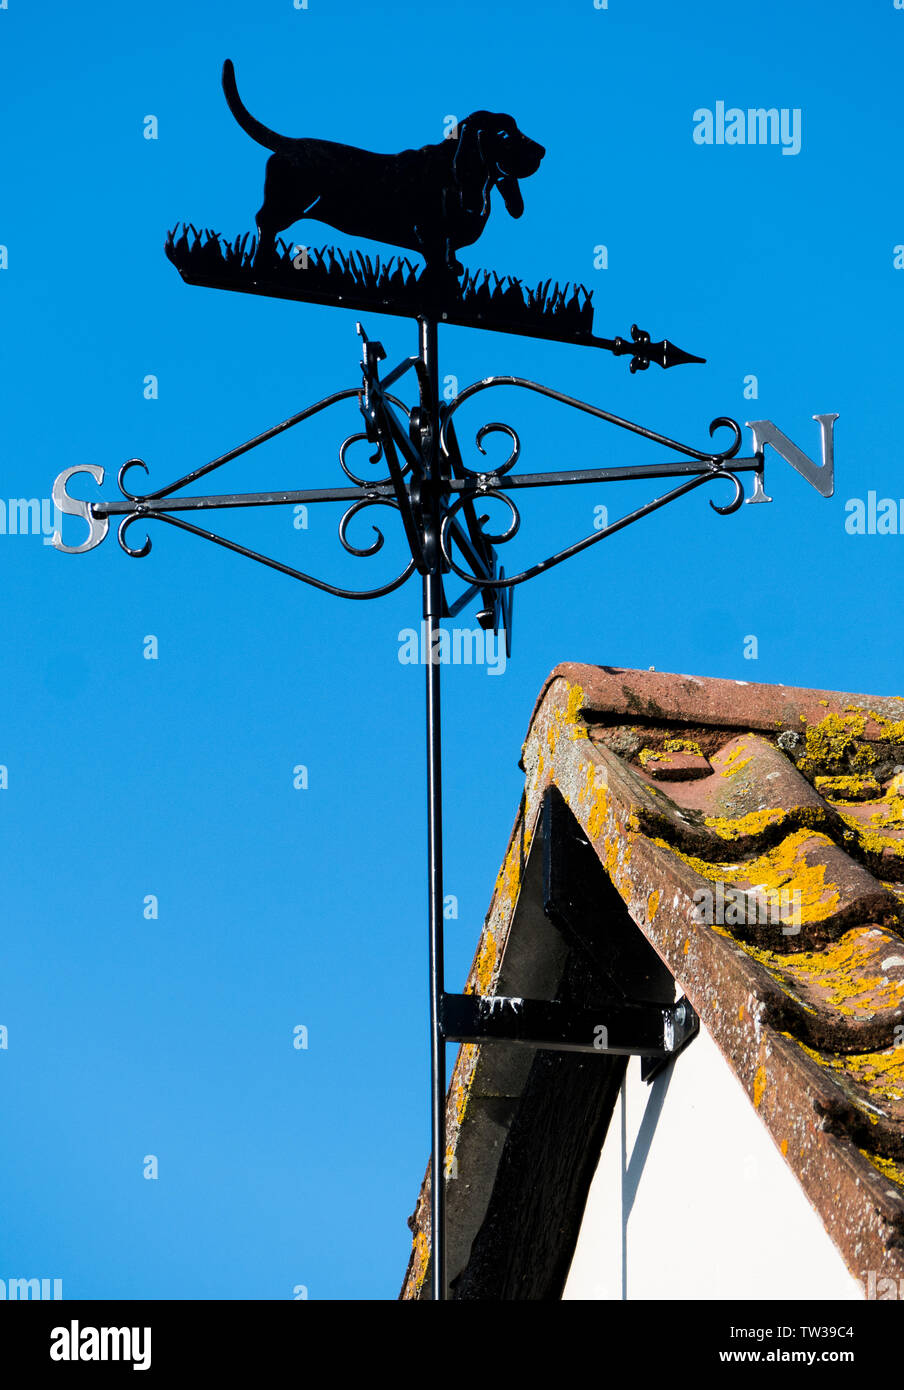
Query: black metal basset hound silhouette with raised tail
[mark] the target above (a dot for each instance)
(430, 201)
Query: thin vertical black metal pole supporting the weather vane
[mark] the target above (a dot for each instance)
(433, 612)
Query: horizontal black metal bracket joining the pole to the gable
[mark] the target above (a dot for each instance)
(649, 1031)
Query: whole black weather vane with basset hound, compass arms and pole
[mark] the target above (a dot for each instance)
(433, 202)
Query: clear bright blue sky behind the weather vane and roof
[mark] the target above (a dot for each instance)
(129, 778)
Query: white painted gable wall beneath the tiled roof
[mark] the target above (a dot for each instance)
(692, 1199)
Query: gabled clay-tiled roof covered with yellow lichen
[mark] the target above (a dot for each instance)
(695, 792)
